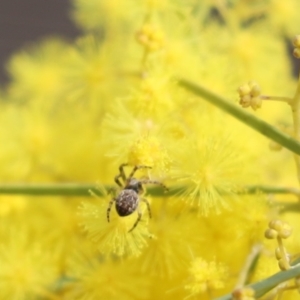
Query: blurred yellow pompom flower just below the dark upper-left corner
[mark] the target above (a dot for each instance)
(38, 72)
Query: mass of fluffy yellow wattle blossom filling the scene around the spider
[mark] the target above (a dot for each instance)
(73, 112)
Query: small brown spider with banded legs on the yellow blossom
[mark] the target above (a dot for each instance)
(127, 201)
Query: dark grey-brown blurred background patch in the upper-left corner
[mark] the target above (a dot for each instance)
(25, 21)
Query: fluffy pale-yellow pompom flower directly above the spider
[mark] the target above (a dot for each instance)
(137, 140)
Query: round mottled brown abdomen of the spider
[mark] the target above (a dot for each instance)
(127, 202)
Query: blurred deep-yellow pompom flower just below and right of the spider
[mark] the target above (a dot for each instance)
(177, 234)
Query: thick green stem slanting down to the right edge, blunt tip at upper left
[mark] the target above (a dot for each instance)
(249, 119)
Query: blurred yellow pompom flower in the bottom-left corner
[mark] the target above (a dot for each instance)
(28, 265)
